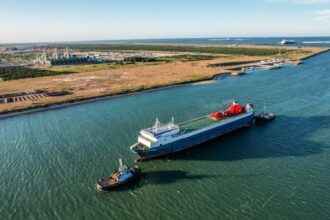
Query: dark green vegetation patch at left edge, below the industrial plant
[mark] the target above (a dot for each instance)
(12, 73)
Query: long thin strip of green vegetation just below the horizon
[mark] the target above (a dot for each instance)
(176, 48)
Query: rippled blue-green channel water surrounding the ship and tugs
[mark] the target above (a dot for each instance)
(50, 161)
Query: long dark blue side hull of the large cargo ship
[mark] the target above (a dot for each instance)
(195, 139)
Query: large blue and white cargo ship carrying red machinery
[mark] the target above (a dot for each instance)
(163, 139)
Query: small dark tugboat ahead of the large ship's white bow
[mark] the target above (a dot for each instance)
(119, 178)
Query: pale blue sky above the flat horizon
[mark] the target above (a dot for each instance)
(67, 20)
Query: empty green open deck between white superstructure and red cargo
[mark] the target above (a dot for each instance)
(198, 123)
